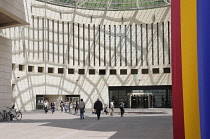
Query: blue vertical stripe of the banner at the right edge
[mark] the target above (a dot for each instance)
(203, 30)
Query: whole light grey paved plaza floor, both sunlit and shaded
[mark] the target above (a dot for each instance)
(136, 124)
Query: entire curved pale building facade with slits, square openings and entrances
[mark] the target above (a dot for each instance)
(112, 50)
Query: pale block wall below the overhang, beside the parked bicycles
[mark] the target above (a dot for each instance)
(5, 72)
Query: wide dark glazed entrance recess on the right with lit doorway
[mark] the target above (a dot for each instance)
(141, 96)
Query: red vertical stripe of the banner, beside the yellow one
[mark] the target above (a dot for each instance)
(177, 91)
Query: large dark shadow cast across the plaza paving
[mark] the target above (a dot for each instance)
(151, 127)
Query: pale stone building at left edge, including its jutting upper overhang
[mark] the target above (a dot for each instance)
(12, 13)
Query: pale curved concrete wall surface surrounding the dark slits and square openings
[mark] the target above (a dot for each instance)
(30, 48)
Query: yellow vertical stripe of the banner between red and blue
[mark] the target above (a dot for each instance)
(189, 69)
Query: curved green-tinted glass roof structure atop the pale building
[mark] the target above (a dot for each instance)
(110, 4)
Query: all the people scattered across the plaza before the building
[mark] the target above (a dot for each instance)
(98, 107)
